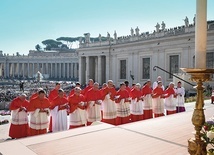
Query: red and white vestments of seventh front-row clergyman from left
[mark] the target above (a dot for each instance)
(123, 109)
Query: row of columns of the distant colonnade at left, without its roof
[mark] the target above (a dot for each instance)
(65, 70)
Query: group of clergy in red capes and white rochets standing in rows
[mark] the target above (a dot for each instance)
(44, 113)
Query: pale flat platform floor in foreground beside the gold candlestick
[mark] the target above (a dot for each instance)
(166, 135)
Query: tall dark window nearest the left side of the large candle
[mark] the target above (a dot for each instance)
(173, 64)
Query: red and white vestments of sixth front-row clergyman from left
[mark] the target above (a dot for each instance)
(112, 92)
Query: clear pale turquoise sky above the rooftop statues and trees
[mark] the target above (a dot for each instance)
(25, 23)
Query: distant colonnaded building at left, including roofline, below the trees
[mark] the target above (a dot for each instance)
(56, 65)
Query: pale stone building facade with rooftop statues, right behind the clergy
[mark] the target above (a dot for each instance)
(133, 57)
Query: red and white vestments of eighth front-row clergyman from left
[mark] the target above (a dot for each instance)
(136, 94)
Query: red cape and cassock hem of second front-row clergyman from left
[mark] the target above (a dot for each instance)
(35, 104)
